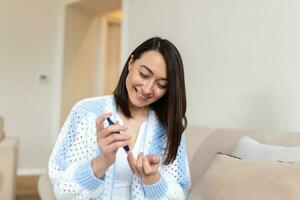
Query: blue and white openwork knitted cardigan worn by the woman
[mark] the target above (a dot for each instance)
(70, 168)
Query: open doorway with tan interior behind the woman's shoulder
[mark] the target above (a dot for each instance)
(91, 56)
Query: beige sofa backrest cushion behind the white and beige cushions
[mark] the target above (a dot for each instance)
(225, 141)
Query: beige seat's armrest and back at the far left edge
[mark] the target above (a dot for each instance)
(8, 163)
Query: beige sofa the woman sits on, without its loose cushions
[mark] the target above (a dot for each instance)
(202, 146)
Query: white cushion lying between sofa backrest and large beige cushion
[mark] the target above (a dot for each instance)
(251, 149)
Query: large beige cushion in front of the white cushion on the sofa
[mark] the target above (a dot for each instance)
(230, 178)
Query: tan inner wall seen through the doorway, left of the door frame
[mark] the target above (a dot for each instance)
(79, 58)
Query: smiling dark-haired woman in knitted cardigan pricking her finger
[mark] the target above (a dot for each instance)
(148, 108)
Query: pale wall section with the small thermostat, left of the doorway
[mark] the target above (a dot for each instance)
(28, 38)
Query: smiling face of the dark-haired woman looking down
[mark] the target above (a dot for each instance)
(147, 80)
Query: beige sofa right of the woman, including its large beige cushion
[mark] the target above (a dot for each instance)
(235, 179)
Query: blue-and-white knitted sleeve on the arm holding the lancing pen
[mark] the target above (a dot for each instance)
(70, 169)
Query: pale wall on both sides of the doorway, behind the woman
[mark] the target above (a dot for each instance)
(241, 59)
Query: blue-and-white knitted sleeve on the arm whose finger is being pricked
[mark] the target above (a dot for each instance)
(175, 182)
